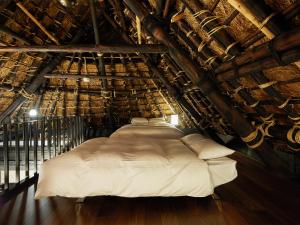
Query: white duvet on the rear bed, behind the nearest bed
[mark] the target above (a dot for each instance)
(144, 131)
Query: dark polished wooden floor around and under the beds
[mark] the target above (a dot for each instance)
(254, 198)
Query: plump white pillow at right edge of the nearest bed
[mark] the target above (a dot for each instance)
(205, 147)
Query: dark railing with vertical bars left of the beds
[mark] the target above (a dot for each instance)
(25, 144)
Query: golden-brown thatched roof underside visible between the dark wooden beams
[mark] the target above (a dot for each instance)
(126, 98)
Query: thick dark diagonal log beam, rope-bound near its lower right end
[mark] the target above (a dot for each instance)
(252, 136)
